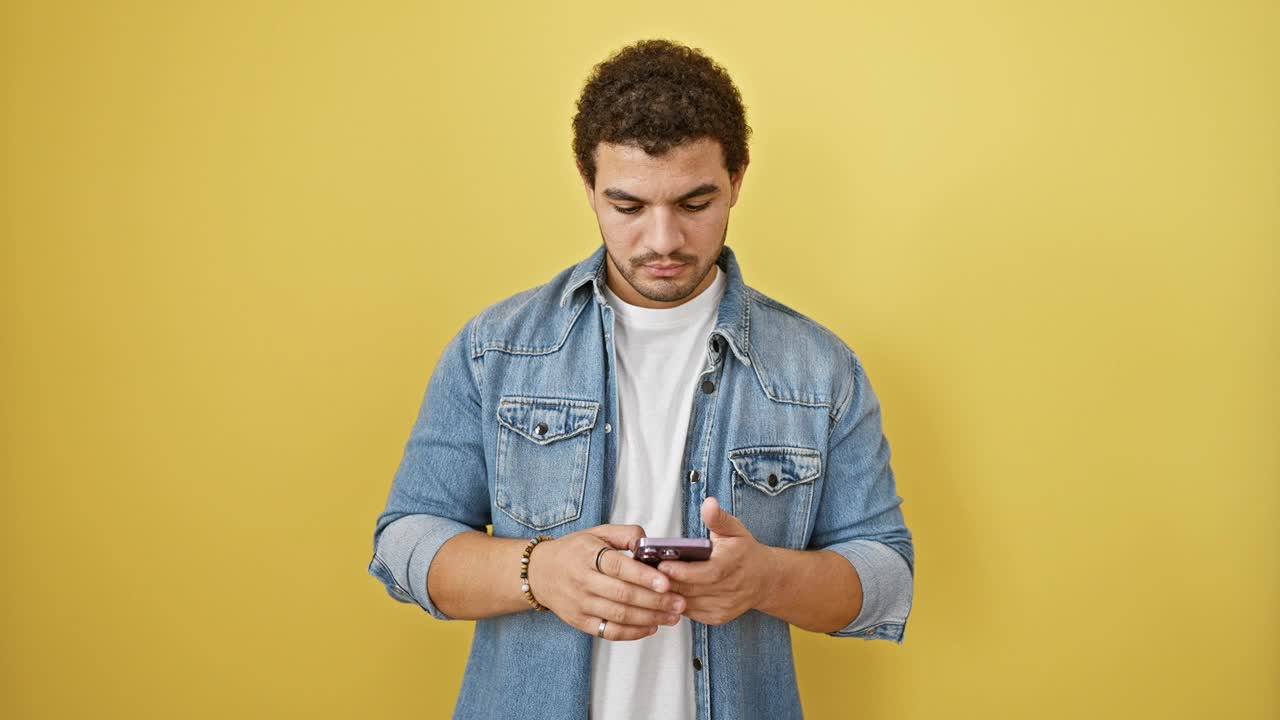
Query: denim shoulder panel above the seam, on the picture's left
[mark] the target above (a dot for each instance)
(531, 322)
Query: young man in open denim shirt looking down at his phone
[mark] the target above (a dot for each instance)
(648, 393)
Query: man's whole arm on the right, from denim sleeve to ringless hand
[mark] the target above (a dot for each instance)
(857, 578)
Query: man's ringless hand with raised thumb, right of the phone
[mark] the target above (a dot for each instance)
(735, 577)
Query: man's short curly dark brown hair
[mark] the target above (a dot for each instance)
(657, 94)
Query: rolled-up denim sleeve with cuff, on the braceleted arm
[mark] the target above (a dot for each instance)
(441, 487)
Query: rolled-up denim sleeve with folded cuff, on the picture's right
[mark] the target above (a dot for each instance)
(861, 517)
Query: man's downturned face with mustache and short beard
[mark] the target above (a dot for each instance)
(664, 220)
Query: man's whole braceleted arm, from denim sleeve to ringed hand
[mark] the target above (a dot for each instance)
(428, 546)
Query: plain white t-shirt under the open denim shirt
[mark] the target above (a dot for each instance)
(660, 354)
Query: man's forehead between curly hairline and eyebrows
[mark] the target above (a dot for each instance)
(628, 167)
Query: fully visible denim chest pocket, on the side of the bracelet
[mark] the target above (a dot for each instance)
(543, 452)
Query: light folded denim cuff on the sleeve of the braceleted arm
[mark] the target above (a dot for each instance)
(404, 555)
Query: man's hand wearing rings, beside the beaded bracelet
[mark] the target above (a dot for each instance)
(634, 598)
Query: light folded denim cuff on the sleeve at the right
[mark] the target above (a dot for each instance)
(888, 589)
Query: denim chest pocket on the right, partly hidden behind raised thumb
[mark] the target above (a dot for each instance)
(774, 493)
